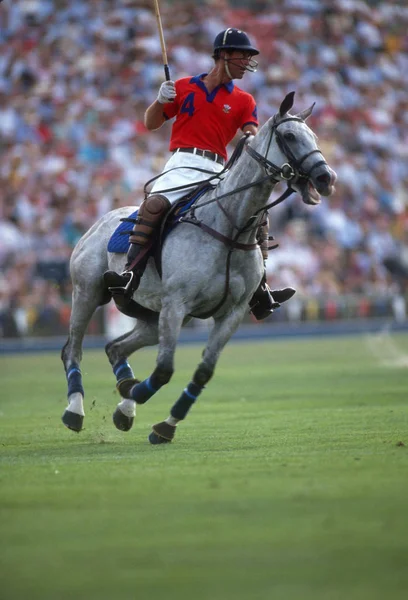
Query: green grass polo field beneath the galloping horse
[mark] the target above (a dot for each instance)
(288, 480)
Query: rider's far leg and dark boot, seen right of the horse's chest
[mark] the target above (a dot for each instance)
(265, 300)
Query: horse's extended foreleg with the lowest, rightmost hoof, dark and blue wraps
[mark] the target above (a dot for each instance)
(221, 332)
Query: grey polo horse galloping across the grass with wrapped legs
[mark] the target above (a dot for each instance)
(211, 265)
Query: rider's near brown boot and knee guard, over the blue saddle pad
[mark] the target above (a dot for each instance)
(149, 218)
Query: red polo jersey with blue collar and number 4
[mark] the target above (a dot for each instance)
(208, 121)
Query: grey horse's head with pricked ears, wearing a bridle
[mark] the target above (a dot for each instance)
(289, 152)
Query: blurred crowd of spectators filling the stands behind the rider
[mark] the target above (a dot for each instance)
(76, 78)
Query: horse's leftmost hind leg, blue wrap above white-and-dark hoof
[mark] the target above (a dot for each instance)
(83, 307)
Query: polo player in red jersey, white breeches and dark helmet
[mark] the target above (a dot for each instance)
(209, 109)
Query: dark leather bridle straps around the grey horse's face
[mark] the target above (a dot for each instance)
(291, 171)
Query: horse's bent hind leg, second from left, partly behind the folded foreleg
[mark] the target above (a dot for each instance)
(144, 334)
